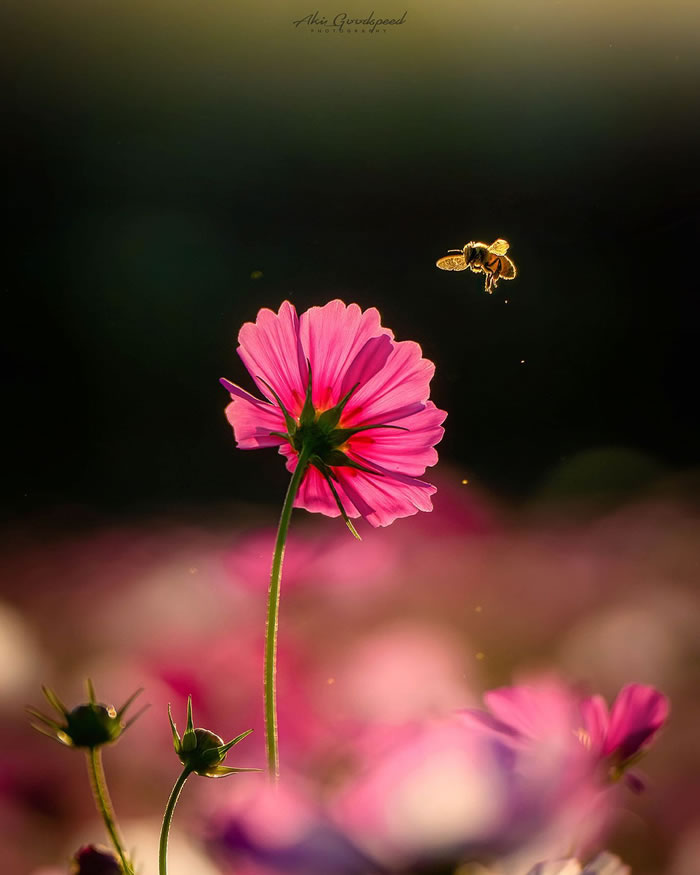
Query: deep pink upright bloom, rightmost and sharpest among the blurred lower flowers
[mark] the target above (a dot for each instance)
(636, 716)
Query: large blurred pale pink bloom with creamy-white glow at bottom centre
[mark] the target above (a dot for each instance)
(426, 790)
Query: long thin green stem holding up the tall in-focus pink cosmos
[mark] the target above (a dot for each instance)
(273, 603)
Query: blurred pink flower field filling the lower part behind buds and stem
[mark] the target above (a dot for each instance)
(382, 644)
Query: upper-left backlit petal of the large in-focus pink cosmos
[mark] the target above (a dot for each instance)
(270, 349)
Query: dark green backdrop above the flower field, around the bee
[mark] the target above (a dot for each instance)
(161, 152)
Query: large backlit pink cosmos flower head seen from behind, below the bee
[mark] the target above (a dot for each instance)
(343, 395)
